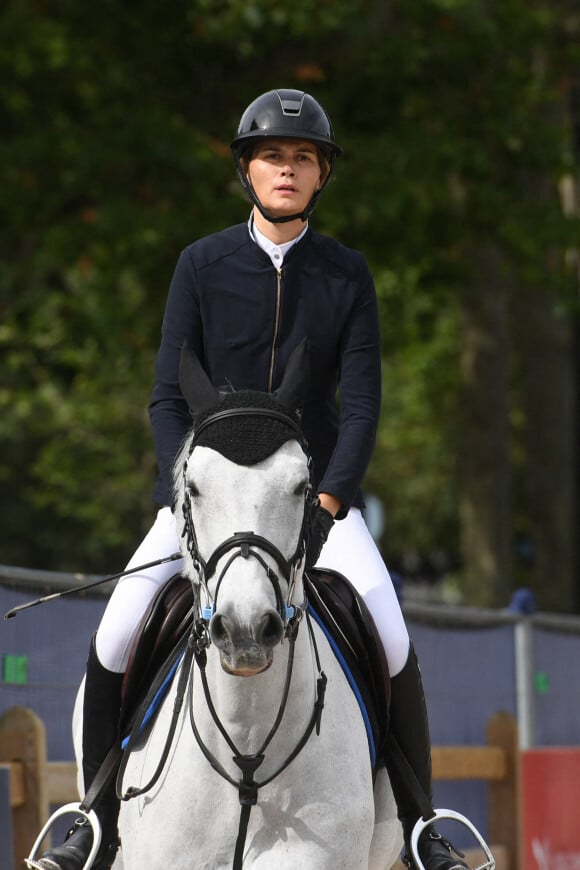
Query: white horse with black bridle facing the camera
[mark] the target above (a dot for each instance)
(308, 800)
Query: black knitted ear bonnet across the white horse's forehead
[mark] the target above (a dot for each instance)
(247, 439)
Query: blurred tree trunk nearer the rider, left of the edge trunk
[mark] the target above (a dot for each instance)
(484, 463)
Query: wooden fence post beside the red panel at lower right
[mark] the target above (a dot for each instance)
(504, 822)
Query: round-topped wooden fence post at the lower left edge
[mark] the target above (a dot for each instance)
(23, 740)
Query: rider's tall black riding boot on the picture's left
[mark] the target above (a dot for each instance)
(101, 707)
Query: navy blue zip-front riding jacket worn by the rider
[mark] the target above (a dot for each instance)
(243, 318)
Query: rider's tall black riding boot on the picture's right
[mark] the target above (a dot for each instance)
(409, 725)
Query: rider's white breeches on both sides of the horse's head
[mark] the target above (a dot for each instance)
(350, 550)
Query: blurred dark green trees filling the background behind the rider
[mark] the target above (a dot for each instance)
(460, 123)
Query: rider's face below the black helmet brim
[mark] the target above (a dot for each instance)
(284, 173)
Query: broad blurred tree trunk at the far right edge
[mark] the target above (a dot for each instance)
(544, 342)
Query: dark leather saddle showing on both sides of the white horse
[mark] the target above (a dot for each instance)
(333, 603)
